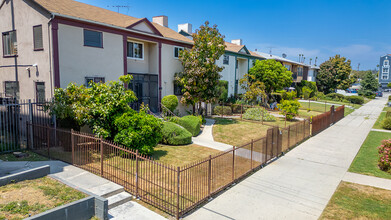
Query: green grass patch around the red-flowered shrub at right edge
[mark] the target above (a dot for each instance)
(366, 159)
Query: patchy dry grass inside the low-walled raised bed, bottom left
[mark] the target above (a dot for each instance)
(30, 197)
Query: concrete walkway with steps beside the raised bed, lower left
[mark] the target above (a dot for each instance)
(87, 182)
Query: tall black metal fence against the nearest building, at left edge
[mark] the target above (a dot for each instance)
(14, 115)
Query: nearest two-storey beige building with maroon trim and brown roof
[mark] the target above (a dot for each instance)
(50, 43)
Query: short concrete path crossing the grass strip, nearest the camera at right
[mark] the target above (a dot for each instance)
(367, 180)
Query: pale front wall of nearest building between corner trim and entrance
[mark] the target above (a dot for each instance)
(78, 61)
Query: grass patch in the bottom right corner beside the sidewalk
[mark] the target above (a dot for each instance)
(354, 201)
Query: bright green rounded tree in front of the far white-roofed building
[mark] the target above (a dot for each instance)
(272, 74)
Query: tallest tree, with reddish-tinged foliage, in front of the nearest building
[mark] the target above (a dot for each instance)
(200, 75)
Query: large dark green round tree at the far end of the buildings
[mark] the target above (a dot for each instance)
(335, 73)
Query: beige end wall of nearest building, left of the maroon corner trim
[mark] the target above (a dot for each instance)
(25, 18)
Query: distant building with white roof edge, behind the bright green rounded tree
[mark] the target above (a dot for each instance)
(299, 70)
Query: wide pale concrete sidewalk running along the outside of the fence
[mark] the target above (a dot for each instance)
(300, 184)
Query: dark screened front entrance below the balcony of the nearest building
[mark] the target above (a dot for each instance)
(145, 86)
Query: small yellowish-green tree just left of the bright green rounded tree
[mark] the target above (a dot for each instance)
(254, 89)
